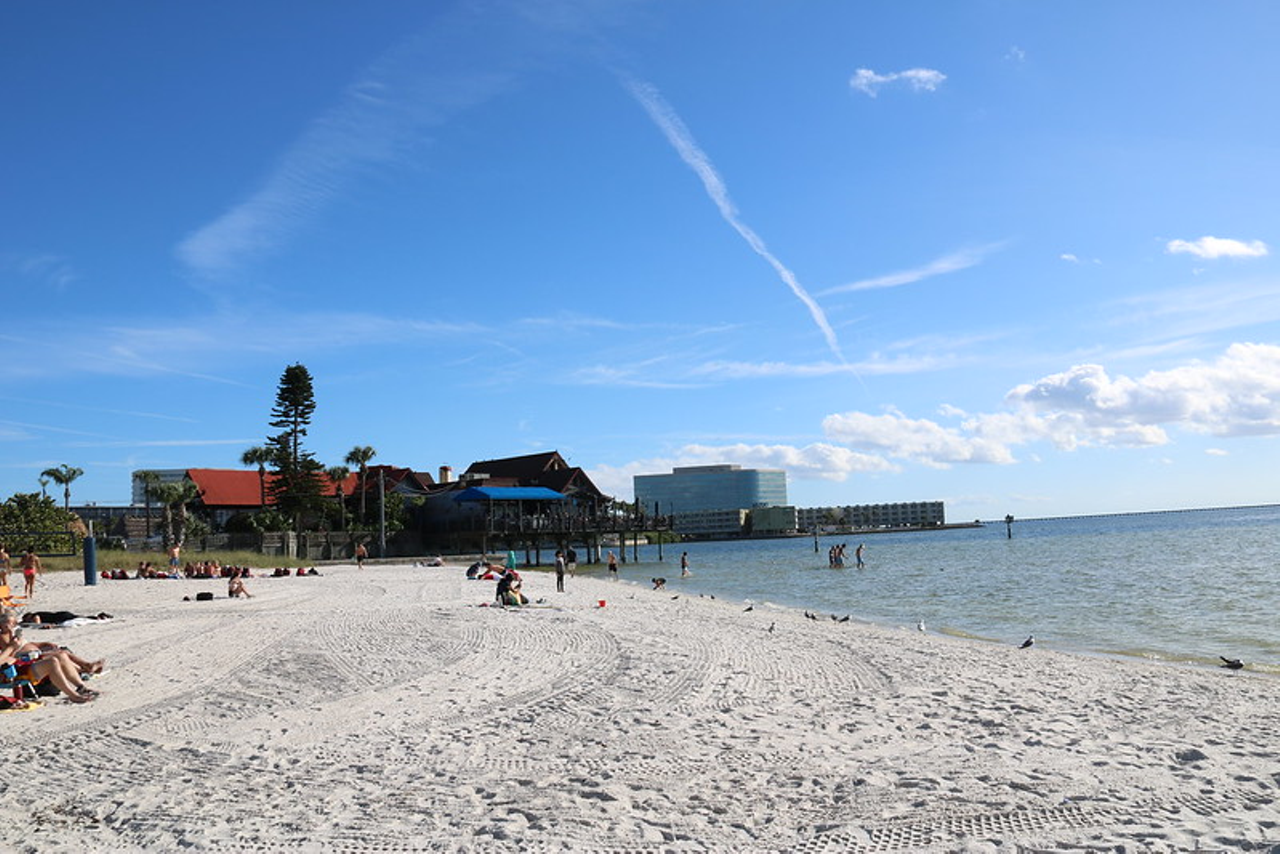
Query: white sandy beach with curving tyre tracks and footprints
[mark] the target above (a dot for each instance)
(387, 711)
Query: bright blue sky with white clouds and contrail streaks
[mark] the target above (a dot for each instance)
(1016, 257)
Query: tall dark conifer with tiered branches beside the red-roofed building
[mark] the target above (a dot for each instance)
(298, 486)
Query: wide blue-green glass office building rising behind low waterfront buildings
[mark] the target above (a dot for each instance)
(700, 488)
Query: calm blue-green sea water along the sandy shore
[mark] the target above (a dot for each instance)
(1180, 587)
